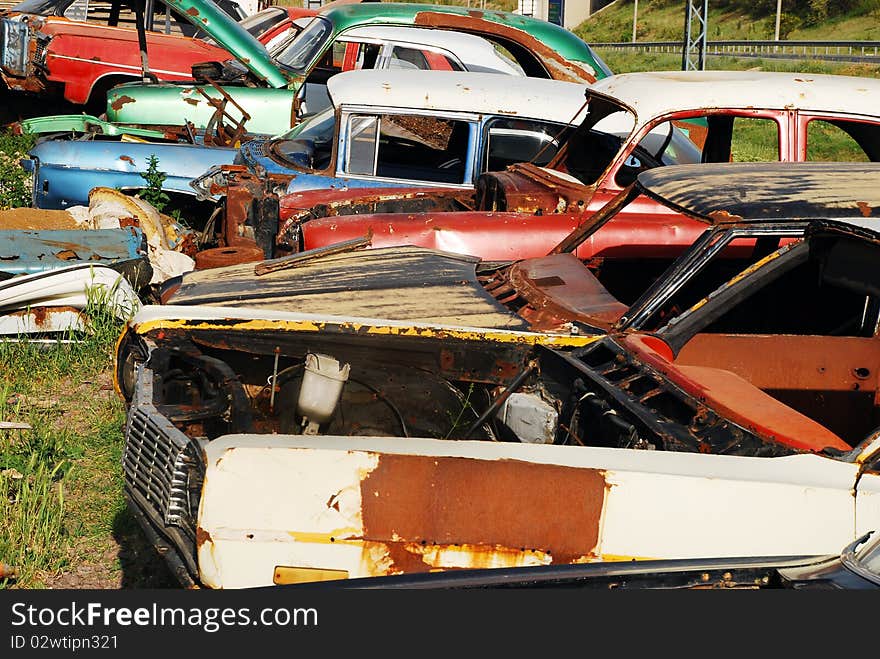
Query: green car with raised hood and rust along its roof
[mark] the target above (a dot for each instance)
(269, 87)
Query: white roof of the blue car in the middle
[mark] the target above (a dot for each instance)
(458, 91)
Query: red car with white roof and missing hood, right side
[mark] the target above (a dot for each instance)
(524, 211)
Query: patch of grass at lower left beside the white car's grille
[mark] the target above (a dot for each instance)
(60, 480)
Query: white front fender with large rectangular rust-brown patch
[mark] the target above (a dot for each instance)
(363, 508)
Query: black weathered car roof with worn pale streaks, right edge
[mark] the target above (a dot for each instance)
(769, 192)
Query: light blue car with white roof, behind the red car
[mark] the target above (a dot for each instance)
(449, 134)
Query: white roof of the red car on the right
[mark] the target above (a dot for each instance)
(656, 93)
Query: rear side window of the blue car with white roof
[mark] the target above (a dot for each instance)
(509, 141)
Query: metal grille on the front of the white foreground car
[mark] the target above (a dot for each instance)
(160, 463)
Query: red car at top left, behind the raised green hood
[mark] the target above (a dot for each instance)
(54, 50)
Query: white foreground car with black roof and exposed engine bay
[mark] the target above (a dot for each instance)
(298, 429)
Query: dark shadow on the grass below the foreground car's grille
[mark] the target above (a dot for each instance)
(141, 564)
